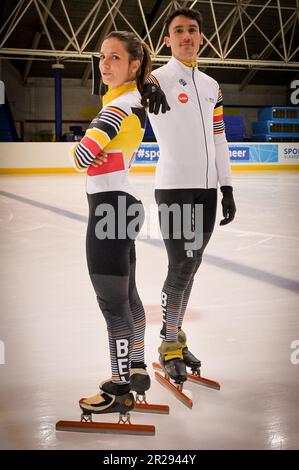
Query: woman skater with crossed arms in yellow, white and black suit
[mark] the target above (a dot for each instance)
(116, 216)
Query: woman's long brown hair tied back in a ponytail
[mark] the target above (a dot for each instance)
(137, 50)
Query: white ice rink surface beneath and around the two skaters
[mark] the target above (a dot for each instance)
(242, 321)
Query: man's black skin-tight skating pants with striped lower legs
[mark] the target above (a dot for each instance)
(183, 260)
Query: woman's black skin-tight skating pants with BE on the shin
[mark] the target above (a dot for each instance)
(111, 264)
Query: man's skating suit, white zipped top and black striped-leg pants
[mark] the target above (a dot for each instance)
(194, 159)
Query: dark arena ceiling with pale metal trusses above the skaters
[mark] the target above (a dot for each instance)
(245, 41)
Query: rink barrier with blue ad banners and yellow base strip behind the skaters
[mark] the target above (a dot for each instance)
(54, 157)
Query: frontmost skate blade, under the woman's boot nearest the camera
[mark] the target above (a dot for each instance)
(109, 428)
